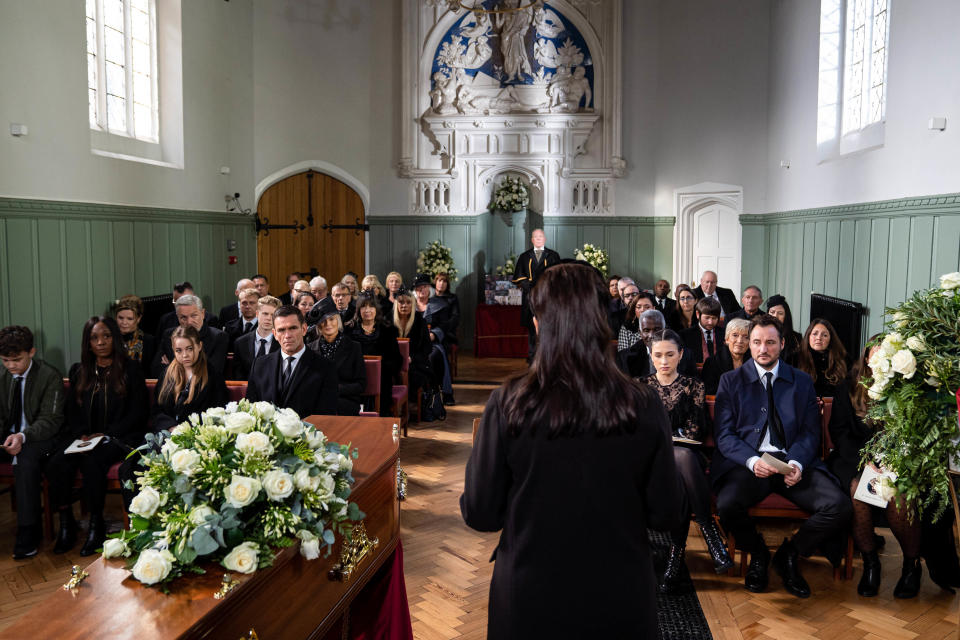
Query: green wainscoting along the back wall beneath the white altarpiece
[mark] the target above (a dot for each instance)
(639, 247)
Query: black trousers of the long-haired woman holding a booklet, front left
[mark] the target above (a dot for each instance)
(93, 466)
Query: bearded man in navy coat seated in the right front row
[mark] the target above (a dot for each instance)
(767, 406)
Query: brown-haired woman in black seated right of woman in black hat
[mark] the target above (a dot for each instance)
(377, 338)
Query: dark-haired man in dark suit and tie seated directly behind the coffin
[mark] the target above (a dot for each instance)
(294, 376)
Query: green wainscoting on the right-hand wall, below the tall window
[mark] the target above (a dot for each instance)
(875, 253)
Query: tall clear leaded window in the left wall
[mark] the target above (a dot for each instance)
(122, 67)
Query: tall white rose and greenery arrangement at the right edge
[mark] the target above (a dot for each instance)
(915, 374)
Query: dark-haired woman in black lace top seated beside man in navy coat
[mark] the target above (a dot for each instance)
(683, 397)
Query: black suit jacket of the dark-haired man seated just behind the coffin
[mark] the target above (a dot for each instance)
(312, 391)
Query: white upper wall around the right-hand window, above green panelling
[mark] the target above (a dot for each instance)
(923, 81)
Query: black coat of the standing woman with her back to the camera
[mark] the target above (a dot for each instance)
(532, 486)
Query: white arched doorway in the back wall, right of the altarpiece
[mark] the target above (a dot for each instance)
(708, 235)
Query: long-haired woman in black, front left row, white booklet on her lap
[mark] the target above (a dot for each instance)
(107, 397)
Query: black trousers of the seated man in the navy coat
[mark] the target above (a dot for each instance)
(817, 493)
